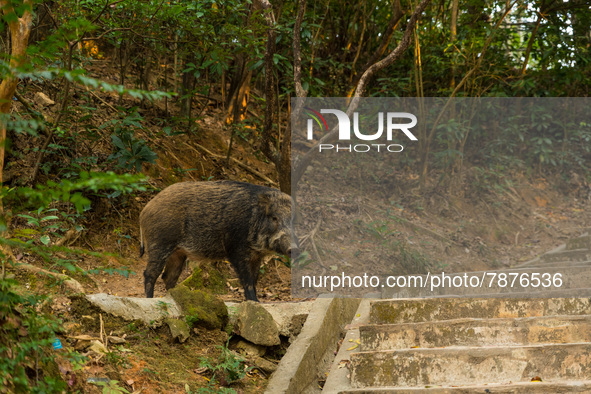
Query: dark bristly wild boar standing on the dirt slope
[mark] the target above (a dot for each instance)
(222, 220)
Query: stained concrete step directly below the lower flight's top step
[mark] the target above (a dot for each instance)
(476, 332)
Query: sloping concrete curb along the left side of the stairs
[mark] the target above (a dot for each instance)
(324, 325)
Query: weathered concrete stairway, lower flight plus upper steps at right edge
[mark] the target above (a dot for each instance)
(473, 345)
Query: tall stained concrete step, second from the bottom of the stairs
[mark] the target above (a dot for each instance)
(470, 365)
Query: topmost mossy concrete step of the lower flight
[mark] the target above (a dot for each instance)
(437, 309)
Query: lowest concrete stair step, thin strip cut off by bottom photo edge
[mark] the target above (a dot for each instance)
(557, 387)
